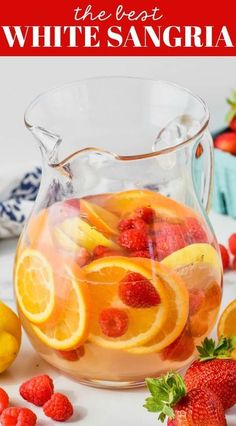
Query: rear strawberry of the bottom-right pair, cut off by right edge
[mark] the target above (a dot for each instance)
(215, 370)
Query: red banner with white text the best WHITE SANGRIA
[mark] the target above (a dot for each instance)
(117, 28)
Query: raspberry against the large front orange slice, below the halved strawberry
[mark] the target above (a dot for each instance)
(113, 322)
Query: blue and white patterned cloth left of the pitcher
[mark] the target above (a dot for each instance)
(17, 196)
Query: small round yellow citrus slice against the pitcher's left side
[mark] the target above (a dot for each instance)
(34, 286)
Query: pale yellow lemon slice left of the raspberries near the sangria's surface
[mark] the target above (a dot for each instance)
(84, 235)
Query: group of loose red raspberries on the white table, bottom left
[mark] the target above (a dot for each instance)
(38, 391)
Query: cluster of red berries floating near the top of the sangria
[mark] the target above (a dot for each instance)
(147, 235)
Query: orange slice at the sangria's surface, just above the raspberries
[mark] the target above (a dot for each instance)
(124, 203)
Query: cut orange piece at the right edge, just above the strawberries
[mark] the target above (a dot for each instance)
(227, 322)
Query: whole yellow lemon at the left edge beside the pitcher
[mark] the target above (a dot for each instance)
(10, 336)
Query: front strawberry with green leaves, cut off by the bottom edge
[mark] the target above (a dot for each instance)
(198, 407)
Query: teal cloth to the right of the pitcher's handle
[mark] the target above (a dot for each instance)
(224, 194)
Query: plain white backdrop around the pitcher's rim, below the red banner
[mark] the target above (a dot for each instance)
(21, 79)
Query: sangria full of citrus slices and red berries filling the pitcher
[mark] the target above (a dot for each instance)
(117, 287)
